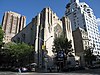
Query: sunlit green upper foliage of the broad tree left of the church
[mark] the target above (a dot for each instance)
(18, 49)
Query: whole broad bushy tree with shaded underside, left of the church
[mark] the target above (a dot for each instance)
(18, 54)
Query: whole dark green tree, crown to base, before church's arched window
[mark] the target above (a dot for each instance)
(61, 44)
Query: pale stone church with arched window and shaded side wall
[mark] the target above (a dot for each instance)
(39, 32)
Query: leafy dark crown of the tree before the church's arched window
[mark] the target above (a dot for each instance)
(62, 43)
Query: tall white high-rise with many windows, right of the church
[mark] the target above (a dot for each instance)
(81, 15)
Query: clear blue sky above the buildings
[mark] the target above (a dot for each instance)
(30, 8)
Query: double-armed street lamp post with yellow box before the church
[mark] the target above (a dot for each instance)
(44, 58)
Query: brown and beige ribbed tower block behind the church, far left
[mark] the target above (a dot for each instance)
(12, 24)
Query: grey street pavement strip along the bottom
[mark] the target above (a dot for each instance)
(81, 72)
